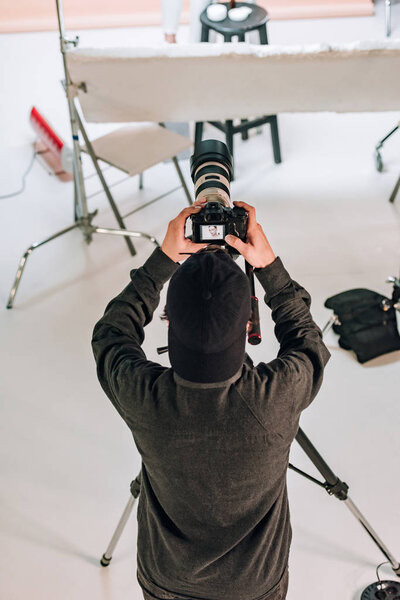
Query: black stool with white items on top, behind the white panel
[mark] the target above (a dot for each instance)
(257, 20)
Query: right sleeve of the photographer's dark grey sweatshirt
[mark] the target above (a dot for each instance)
(293, 379)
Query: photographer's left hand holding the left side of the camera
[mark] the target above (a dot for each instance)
(175, 244)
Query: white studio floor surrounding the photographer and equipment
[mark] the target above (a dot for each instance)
(66, 457)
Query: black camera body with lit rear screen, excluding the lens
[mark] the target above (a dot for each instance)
(215, 221)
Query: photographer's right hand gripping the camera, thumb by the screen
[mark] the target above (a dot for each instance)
(256, 250)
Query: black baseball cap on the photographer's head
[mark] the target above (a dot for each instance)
(208, 306)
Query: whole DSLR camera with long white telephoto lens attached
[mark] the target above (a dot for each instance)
(211, 172)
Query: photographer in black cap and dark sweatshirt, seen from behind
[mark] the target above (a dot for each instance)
(213, 431)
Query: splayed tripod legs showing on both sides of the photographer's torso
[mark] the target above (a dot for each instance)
(332, 484)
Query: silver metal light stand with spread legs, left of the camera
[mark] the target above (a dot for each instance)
(82, 217)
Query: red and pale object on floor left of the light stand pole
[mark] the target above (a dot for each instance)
(50, 147)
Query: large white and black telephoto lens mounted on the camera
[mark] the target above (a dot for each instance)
(211, 171)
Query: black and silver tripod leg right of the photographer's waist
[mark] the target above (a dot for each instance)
(334, 486)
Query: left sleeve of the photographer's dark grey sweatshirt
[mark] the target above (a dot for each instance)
(118, 335)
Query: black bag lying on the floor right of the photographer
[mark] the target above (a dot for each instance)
(364, 326)
